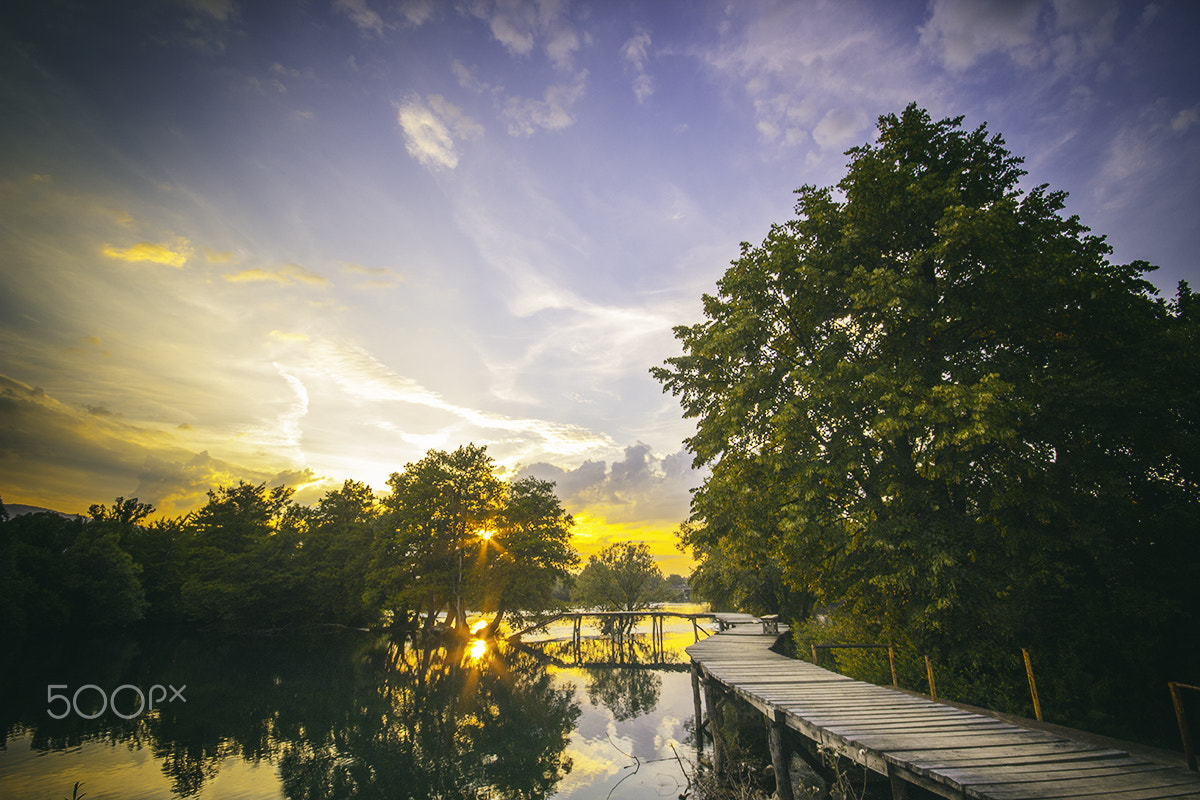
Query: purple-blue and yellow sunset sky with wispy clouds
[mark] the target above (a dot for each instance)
(302, 243)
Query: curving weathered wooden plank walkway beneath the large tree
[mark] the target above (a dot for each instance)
(915, 741)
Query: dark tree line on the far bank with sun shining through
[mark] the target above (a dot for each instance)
(451, 537)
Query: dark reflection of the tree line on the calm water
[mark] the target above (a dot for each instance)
(340, 718)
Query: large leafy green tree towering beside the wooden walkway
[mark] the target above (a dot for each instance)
(934, 401)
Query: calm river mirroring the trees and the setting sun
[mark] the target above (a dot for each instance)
(346, 715)
